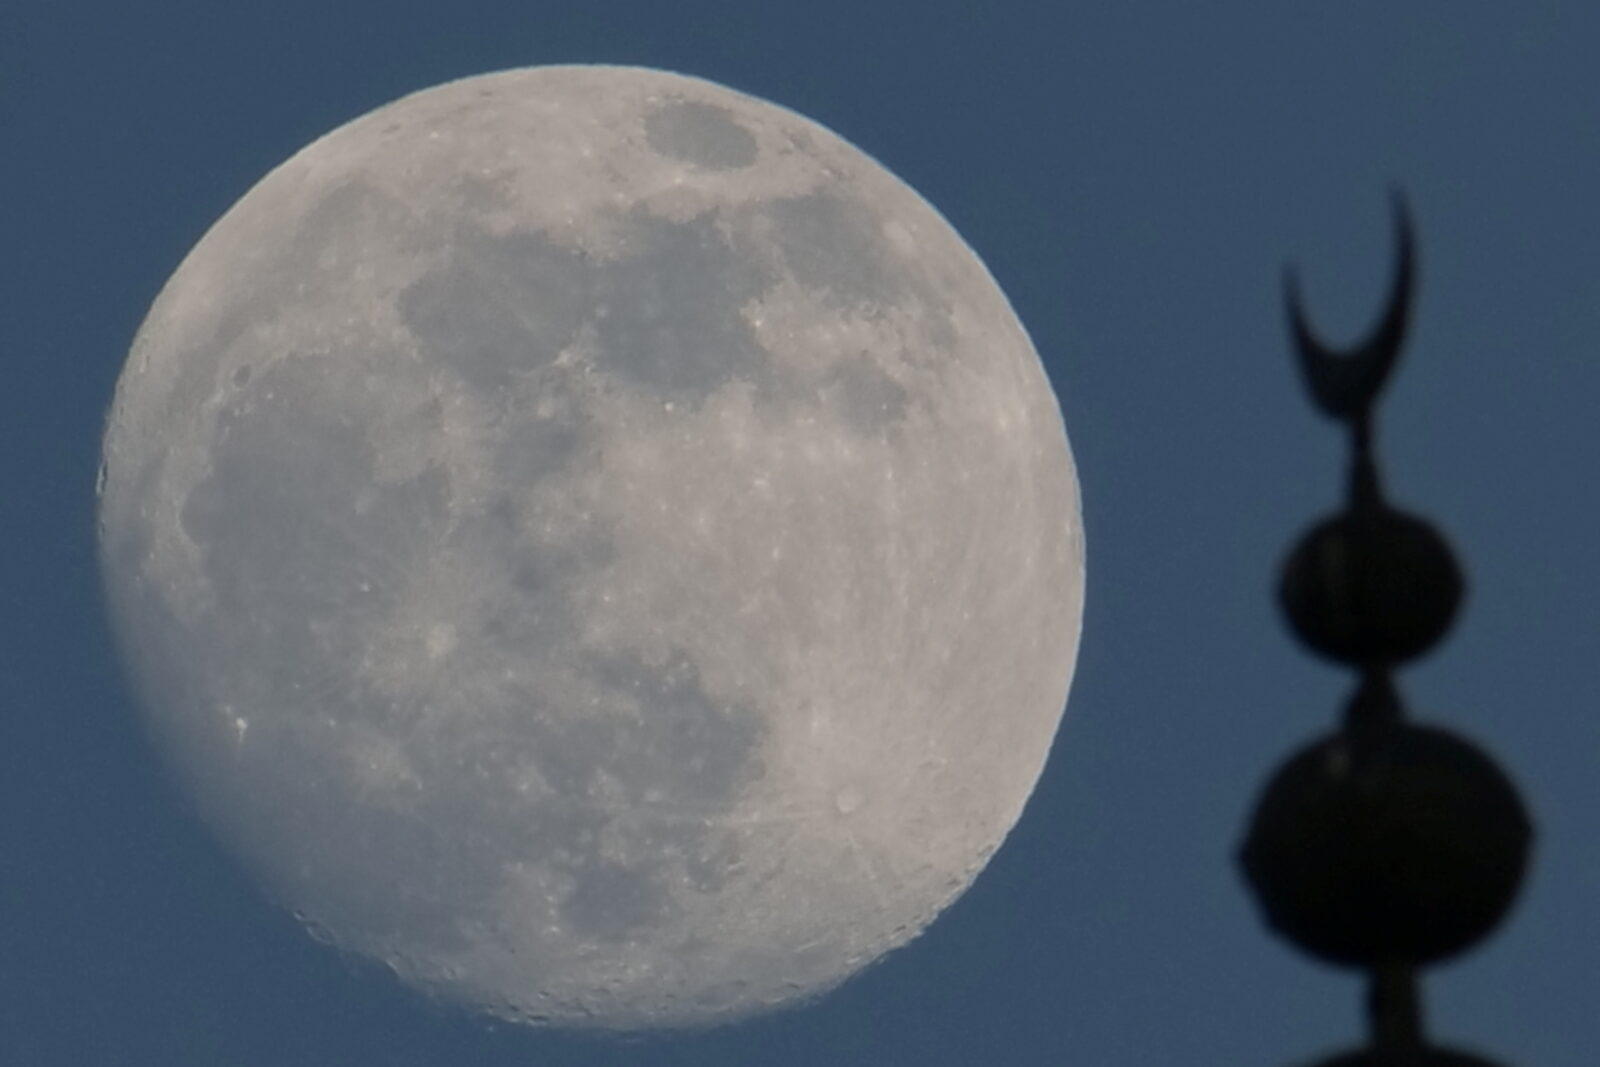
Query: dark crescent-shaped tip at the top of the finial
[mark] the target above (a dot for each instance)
(1345, 383)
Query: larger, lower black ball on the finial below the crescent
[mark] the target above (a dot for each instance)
(1407, 847)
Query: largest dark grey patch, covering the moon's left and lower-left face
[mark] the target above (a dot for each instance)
(636, 775)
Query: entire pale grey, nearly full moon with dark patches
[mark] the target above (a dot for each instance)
(596, 543)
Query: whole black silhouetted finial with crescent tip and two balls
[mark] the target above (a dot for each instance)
(1385, 845)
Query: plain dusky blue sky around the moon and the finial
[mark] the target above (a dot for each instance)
(1135, 177)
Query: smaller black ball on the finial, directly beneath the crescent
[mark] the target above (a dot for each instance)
(1372, 586)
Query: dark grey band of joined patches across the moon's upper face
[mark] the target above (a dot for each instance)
(666, 318)
